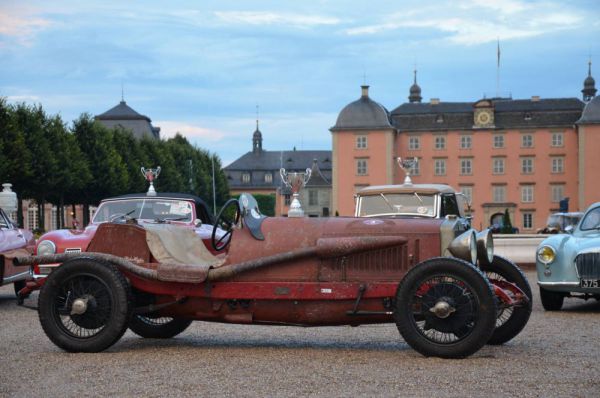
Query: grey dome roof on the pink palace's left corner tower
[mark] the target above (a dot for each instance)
(363, 113)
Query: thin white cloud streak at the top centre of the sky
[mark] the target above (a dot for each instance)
(272, 18)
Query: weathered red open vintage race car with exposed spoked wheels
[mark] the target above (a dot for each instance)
(425, 275)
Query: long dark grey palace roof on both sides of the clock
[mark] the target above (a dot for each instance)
(508, 113)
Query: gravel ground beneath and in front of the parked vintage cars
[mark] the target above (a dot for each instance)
(557, 355)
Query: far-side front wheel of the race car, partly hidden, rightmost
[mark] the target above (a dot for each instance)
(509, 321)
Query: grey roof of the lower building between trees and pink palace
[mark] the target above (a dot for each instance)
(274, 160)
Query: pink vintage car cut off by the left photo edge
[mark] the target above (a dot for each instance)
(14, 242)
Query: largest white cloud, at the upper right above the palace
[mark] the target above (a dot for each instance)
(473, 22)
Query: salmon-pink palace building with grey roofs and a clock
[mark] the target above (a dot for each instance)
(524, 155)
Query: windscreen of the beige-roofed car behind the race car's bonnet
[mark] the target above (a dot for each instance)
(411, 204)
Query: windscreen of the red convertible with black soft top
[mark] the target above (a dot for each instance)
(144, 209)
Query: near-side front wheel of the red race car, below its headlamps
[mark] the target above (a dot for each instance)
(445, 307)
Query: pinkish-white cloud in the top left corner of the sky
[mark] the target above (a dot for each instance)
(21, 23)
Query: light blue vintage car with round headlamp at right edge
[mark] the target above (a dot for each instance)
(568, 265)
